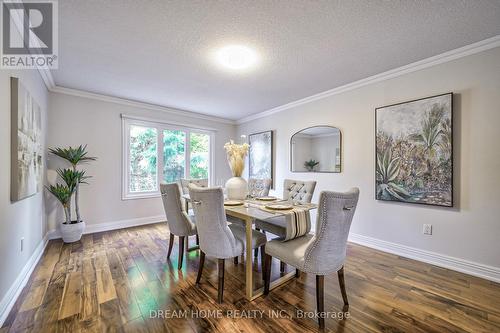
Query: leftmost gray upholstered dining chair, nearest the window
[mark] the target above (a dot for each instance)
(179, 222)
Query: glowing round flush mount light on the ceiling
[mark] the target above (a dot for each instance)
(236, 57)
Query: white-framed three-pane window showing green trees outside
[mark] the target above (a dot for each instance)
(155, 152)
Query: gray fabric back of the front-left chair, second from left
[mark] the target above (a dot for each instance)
(216, 239)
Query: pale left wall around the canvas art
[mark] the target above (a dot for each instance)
(25, 218)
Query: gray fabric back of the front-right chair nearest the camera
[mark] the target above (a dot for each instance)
(327, 251)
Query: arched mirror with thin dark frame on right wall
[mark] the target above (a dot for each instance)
(316, 149)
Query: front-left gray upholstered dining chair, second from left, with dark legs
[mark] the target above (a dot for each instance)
(217, 238)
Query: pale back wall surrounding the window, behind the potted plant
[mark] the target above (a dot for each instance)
(78, 120)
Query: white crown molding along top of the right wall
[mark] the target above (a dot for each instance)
(461, 52)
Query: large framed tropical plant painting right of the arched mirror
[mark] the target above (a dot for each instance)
(414, 151)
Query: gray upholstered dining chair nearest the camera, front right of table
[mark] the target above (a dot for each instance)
(325, 251)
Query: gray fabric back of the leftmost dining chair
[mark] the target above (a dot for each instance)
(177, 219)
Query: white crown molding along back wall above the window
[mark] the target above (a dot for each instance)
(138, 104)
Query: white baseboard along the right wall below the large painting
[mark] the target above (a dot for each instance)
(468, 267)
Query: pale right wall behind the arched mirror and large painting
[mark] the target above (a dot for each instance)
(471, 230)
